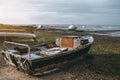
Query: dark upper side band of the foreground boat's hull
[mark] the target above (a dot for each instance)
(60, 58)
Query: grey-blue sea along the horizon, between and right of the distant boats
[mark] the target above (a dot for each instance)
(103, 30)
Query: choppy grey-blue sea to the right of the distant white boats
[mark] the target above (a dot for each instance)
(113, 31)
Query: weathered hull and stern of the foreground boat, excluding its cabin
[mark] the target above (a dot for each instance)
(44, 64)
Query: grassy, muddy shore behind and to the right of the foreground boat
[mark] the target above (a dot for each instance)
(103, 61)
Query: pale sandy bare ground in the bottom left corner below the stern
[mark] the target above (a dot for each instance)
(10, 73)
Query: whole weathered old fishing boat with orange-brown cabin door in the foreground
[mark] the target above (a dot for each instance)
(46, 58)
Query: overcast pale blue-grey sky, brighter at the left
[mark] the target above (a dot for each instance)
(60, 12)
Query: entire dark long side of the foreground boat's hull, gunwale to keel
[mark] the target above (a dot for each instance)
(69, 59)
